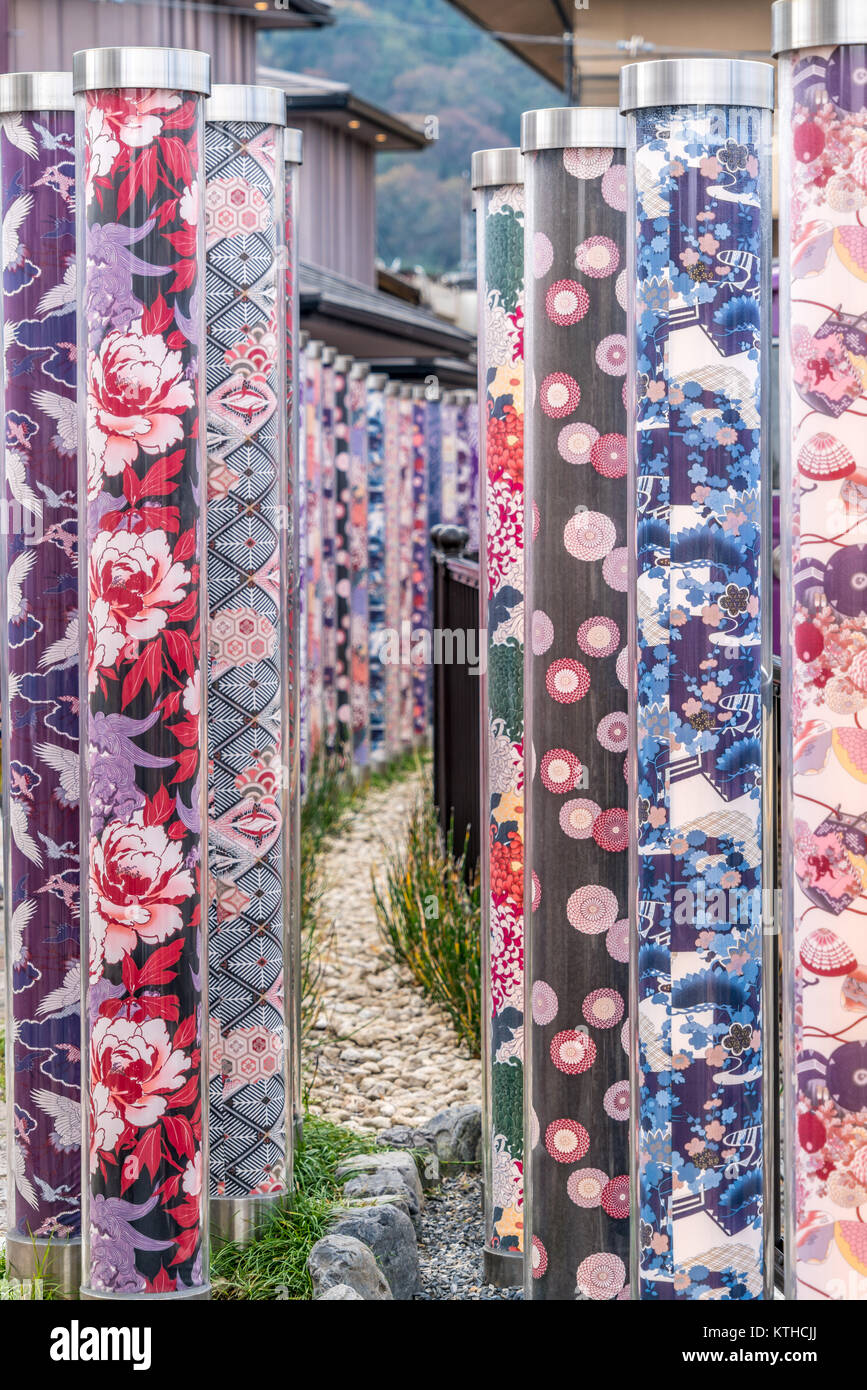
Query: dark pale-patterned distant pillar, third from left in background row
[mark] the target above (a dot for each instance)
(342, 562)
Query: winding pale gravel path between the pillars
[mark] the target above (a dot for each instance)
(381, 1054)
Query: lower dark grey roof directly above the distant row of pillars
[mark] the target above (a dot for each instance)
(374, 327)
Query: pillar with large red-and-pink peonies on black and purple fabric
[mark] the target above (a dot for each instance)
(142, 493)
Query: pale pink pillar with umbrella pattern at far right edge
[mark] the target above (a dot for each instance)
(823, 333)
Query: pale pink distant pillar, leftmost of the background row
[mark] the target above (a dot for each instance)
(312, 557)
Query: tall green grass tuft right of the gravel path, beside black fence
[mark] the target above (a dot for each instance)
(430, 917)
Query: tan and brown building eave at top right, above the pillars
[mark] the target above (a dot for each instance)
(620, 31)
